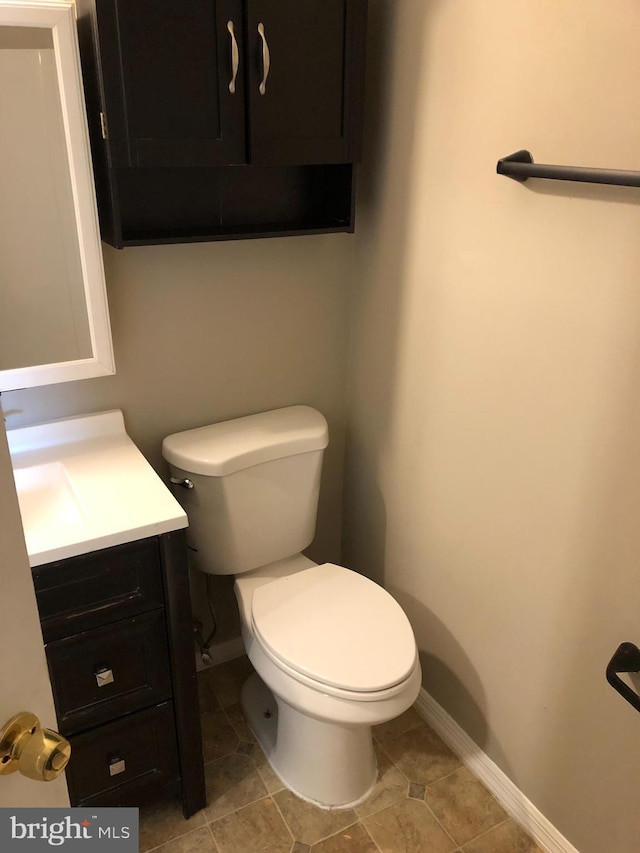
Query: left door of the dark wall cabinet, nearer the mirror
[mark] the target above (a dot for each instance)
(167, 69)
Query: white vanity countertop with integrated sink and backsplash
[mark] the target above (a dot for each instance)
(83, 485)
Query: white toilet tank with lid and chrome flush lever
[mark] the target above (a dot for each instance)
(255, 490)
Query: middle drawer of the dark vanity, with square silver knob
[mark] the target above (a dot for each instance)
(100, 674)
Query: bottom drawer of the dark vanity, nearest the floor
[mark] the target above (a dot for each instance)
(113, 764)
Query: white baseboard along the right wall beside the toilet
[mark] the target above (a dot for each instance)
(493, 778)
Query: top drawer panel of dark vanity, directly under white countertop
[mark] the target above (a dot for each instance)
(98, 588)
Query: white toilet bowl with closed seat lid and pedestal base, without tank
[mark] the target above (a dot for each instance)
(317, 693)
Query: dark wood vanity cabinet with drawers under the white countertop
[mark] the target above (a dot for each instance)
(117, 630)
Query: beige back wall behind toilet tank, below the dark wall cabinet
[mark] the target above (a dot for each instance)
(211, 331)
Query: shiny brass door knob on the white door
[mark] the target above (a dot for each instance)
(36, 752)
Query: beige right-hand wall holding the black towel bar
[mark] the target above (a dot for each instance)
(492, 448)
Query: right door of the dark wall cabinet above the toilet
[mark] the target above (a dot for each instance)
(304, 78)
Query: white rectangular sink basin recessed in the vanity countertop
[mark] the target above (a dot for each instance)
(46, 496)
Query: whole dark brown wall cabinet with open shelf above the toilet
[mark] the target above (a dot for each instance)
(221, 119)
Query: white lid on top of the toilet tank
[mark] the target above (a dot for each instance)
(224, 448)
